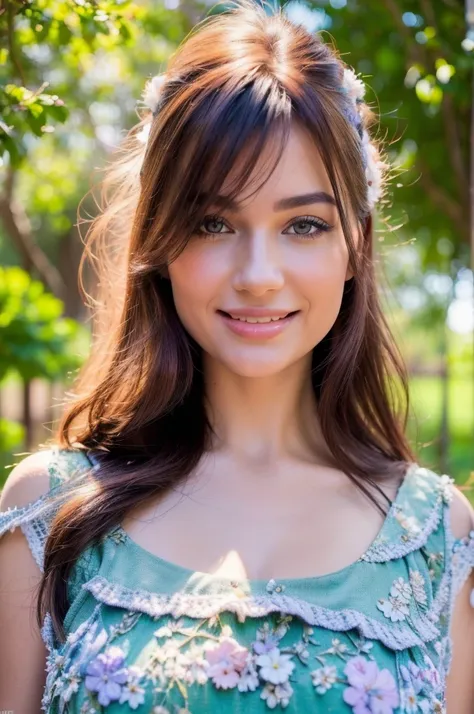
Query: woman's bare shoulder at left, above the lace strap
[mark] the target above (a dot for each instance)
(27, 481)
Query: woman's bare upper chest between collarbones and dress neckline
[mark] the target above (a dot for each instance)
(293, 521)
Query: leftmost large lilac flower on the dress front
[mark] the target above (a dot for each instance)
(106, 675)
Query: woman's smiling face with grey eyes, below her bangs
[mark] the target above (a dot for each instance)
(266, 254)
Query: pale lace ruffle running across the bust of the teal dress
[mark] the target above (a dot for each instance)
(396, 636)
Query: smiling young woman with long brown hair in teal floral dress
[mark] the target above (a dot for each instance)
(230, 517)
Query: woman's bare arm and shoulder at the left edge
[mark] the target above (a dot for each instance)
(22, 650)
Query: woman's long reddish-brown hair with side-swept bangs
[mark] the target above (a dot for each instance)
(236, 84)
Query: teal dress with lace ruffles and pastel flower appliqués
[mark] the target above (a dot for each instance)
(146, 635)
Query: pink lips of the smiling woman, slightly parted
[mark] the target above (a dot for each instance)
(257, 322)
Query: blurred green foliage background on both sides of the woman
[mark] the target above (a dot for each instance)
(71, 72)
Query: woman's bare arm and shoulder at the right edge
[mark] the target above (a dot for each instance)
(460, 681)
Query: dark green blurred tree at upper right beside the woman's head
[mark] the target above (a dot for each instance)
(417, 64)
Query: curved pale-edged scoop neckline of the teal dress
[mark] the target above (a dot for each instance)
(270, 585)
